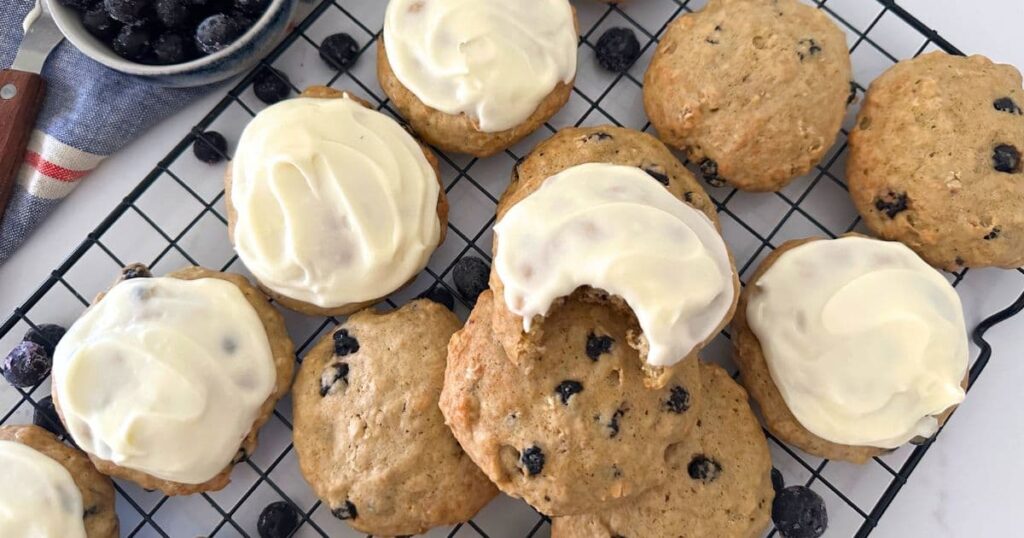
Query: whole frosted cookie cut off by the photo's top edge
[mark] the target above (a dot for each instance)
(478, 76)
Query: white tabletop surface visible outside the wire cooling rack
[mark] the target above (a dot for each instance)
(968, 485)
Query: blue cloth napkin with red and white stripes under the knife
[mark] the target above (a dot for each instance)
(90, 113)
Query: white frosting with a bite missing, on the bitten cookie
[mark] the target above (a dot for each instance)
(617, 229)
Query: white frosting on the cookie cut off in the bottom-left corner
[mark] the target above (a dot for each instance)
(38, 496)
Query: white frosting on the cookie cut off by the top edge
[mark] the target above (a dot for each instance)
(495, 62)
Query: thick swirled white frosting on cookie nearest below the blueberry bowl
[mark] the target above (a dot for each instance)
(336, 204)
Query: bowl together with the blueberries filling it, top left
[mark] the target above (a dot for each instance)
(175, 43)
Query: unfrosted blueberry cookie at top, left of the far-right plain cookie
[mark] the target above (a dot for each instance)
(755, 93)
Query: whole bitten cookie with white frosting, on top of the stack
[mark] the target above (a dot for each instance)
(613, 212)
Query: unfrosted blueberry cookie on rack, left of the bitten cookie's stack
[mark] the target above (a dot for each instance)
(369, 435)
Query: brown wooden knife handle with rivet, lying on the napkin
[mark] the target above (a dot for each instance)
(21, 98)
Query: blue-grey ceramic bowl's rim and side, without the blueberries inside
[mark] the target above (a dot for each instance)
(240, 57)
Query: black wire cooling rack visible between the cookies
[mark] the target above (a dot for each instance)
(176, 217)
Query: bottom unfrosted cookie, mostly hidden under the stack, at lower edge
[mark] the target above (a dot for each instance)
(721, 479)
